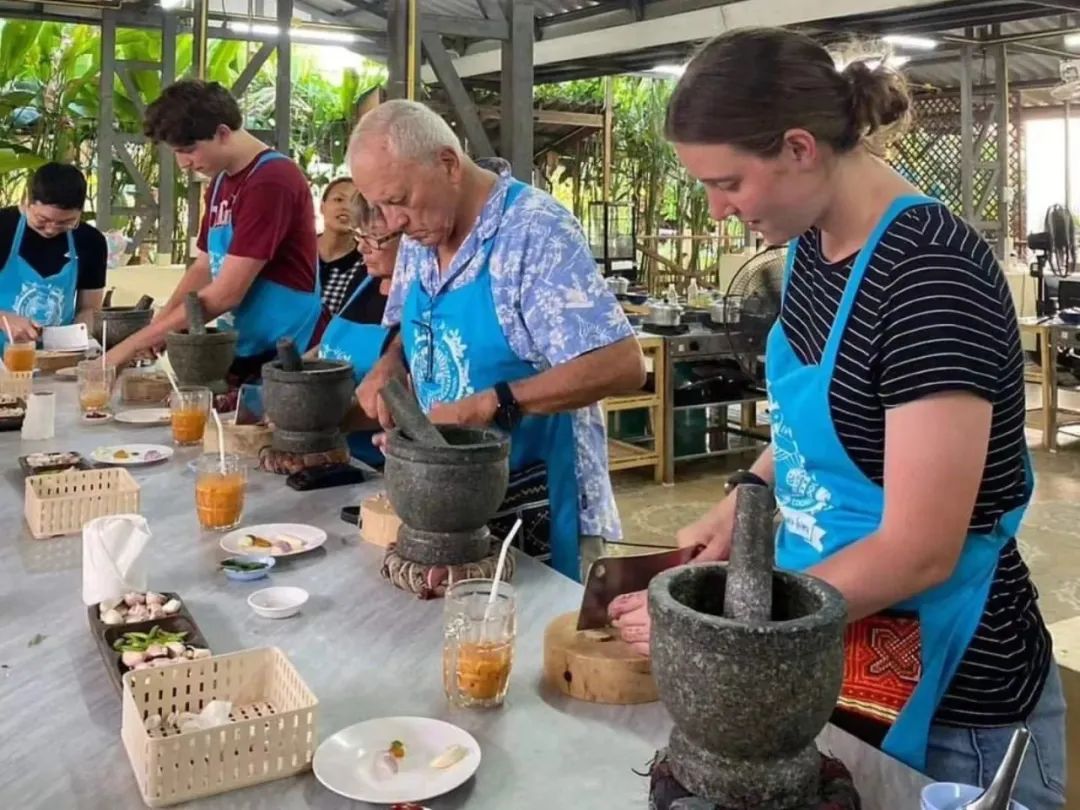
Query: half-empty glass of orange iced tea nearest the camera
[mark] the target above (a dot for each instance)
(478, 643)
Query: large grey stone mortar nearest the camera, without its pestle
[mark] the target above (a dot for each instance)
(748, 697)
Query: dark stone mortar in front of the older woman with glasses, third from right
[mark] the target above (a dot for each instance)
(307, 408)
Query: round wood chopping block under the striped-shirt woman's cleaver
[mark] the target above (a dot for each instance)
(596, 666)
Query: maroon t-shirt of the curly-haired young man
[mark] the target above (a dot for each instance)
(273, 218)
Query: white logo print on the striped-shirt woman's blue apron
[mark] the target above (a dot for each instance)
(801, 497)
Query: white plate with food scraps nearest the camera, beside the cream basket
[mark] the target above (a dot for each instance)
(345, 763)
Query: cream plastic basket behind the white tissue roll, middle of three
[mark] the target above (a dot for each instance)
(63, 504)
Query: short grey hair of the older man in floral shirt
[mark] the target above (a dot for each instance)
(413, 130)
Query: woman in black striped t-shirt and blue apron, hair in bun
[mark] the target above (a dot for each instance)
(897, 403)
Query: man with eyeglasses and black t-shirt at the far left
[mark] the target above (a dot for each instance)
(55, 264)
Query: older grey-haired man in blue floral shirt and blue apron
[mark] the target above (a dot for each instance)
(505, 319)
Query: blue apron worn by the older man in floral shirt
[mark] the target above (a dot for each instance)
(455, 347)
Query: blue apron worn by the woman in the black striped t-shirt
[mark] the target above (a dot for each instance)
(828, 504)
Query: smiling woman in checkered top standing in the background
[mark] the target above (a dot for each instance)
(341, 264)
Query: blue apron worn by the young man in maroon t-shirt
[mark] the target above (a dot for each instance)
(271, 310)
